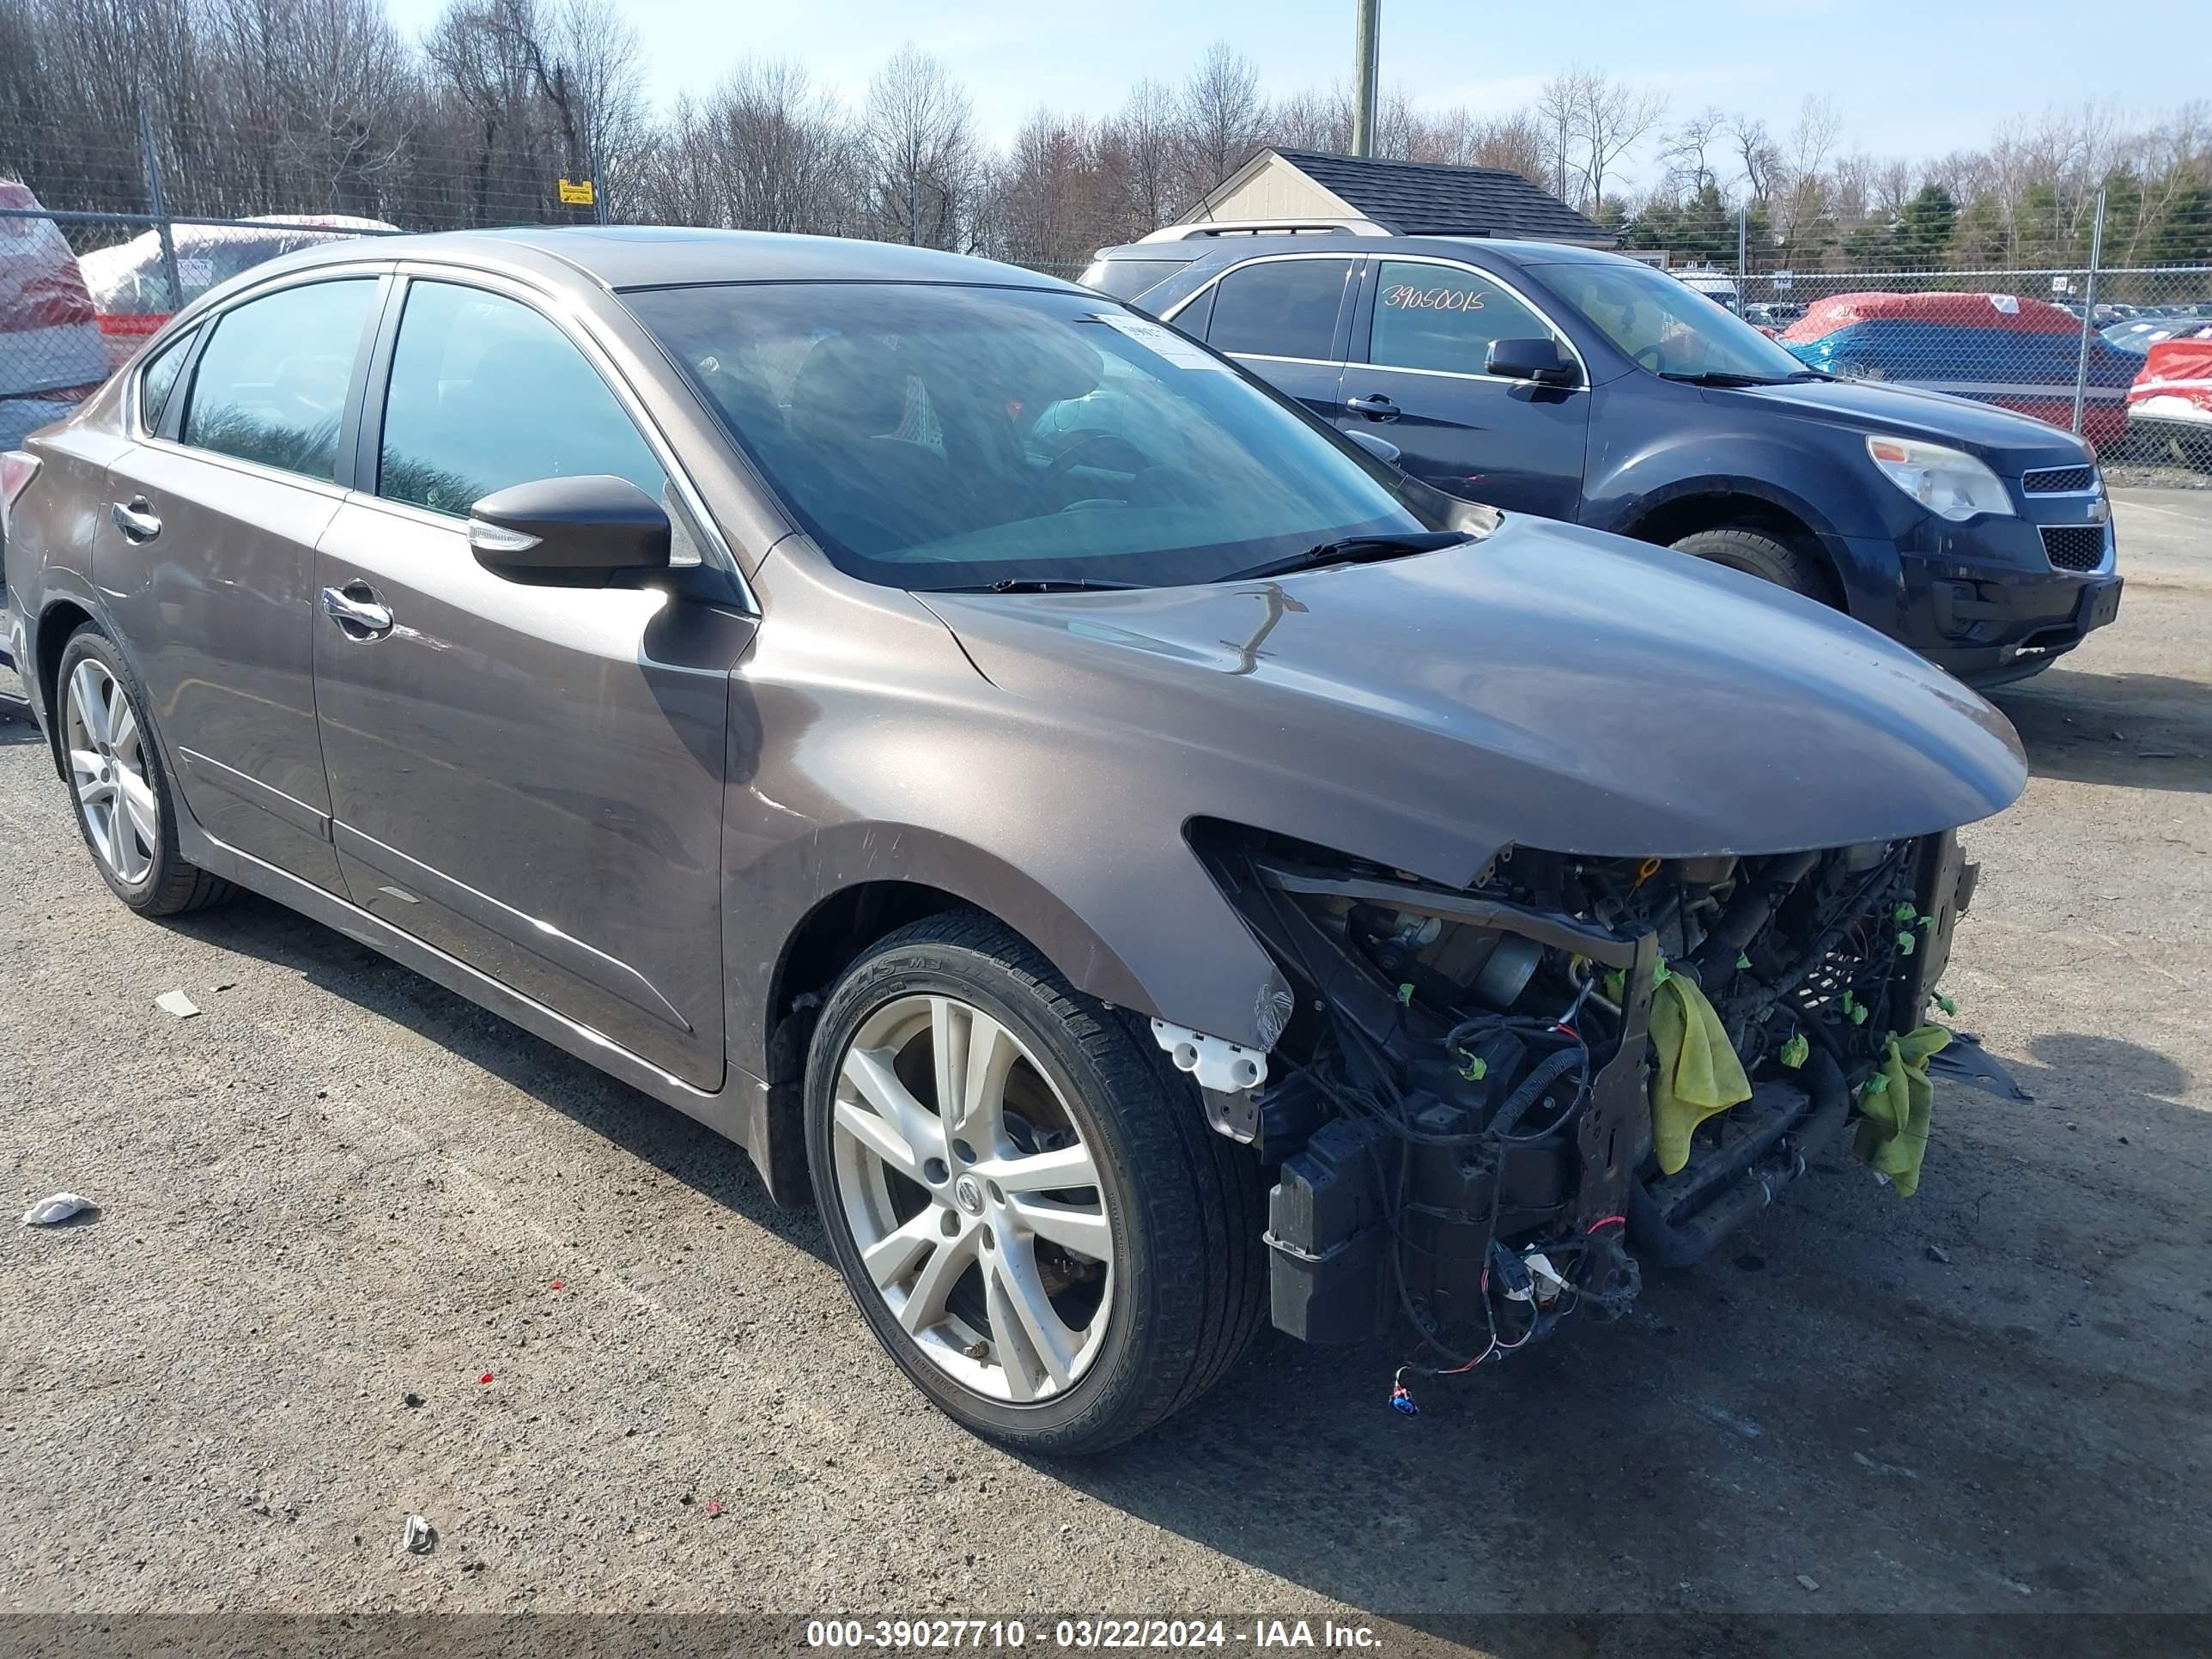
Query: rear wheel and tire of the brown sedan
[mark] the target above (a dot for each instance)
(118, 784)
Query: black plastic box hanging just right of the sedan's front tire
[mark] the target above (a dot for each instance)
(1328, 1238)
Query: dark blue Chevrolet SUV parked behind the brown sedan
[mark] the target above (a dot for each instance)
(1594, 388)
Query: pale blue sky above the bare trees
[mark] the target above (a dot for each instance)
(1908, 79)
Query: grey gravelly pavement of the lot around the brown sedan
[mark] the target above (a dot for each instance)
(364, 1253)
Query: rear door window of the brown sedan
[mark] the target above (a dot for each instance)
(273, 382)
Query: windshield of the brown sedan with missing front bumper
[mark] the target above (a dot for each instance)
(937, 437)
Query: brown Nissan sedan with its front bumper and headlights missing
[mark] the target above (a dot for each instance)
(1136, 859)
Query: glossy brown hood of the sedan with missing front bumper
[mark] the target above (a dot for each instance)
(1547, 687)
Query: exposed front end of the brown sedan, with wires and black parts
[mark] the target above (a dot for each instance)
(1459, 1109)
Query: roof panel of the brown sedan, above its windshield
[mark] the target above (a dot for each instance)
(667, 255)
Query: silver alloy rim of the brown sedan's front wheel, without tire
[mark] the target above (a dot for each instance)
(972, 1198)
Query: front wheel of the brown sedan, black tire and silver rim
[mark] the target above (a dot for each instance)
(1027, 1207)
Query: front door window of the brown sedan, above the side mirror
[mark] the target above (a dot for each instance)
(486, 393)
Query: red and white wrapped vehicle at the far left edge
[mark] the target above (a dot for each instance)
(50, 342)
